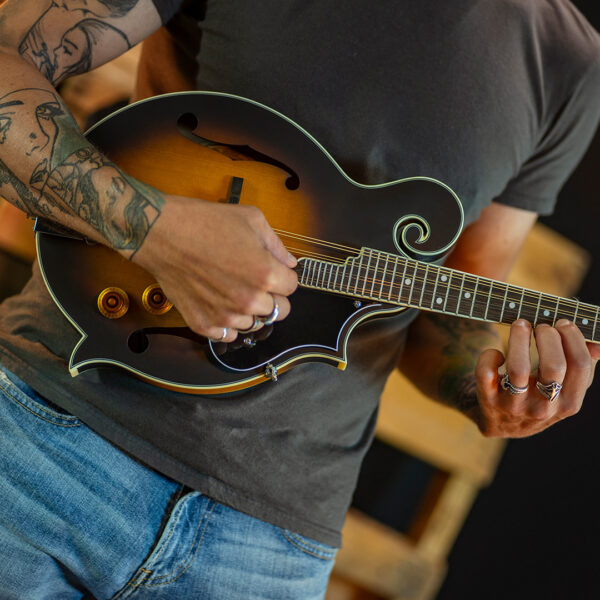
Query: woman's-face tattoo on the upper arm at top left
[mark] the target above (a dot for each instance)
(57, 58)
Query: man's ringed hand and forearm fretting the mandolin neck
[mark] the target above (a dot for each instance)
(456, 361)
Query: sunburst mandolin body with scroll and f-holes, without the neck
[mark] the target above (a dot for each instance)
(223, 148)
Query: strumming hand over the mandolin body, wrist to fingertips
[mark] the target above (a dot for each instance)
(221, 265)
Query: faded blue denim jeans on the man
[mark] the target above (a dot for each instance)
(80, 519)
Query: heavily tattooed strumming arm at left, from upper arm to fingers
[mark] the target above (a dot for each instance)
(219, 265)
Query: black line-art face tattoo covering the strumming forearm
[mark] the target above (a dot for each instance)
(56, 173)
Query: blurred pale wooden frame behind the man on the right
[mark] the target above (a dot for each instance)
(376, 561)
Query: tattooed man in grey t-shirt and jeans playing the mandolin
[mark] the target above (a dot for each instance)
(497, 99)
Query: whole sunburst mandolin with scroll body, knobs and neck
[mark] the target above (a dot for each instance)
(364, 251)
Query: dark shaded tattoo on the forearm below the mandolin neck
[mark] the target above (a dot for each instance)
(465, 340)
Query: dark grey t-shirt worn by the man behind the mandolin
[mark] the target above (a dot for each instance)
(498, 99)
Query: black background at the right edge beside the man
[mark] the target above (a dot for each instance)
(535, 533)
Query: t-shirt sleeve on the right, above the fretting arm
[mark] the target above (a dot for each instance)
(559, 150)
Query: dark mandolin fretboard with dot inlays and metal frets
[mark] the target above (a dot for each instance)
(392, 279)
